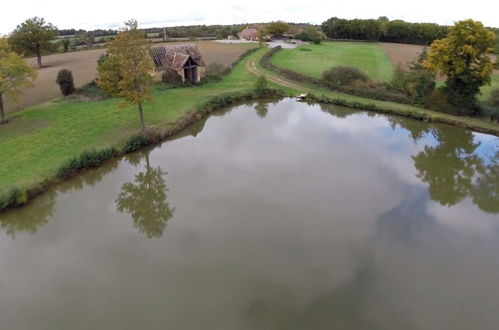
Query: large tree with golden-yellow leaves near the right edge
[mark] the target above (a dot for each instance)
(463, 57)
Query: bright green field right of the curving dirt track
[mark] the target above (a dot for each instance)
(369, 57)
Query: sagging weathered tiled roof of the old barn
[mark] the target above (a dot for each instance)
(175, 56)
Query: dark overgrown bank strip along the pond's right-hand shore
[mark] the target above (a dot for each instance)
(434, 118)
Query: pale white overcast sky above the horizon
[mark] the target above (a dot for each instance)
(92, 14)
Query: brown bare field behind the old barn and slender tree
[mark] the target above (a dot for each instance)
(83, 64)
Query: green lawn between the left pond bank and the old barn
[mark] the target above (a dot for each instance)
(39, 139)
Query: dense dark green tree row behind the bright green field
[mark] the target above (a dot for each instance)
(382, 29)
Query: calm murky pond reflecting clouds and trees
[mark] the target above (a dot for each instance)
(267, 216)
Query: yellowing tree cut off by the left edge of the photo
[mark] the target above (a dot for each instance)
(14, 74)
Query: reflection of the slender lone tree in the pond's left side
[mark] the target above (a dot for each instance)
(145, 199)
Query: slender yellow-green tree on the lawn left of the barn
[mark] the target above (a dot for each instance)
(127, 72)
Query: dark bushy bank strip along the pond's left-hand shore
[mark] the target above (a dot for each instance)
(17, 196)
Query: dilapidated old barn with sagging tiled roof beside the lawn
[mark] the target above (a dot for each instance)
(184, 60)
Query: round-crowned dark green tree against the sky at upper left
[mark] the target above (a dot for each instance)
(33, 37)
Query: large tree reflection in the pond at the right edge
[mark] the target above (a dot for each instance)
(454, 170)
